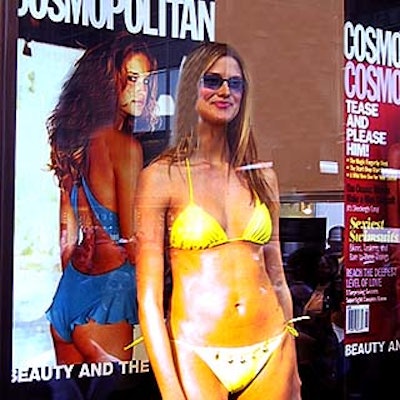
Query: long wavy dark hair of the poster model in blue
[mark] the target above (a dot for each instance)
(89, 101)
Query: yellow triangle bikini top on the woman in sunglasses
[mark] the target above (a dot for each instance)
(195, 229)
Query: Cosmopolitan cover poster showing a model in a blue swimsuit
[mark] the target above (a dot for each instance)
(105, 71)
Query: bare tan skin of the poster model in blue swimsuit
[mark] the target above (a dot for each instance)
(114, 162)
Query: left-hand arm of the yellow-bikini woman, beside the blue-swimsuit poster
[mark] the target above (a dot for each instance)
(152, 201)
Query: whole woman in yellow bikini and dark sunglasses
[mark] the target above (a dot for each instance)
(227, 328)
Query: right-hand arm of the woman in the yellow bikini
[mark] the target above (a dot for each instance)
(272, 251)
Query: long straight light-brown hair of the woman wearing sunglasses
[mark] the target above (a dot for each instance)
(240, 137)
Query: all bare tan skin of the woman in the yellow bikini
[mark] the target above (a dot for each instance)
(231, 295)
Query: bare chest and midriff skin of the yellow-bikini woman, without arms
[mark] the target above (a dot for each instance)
(221, 295)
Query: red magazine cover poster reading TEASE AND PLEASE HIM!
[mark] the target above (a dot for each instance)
(371, 106)
